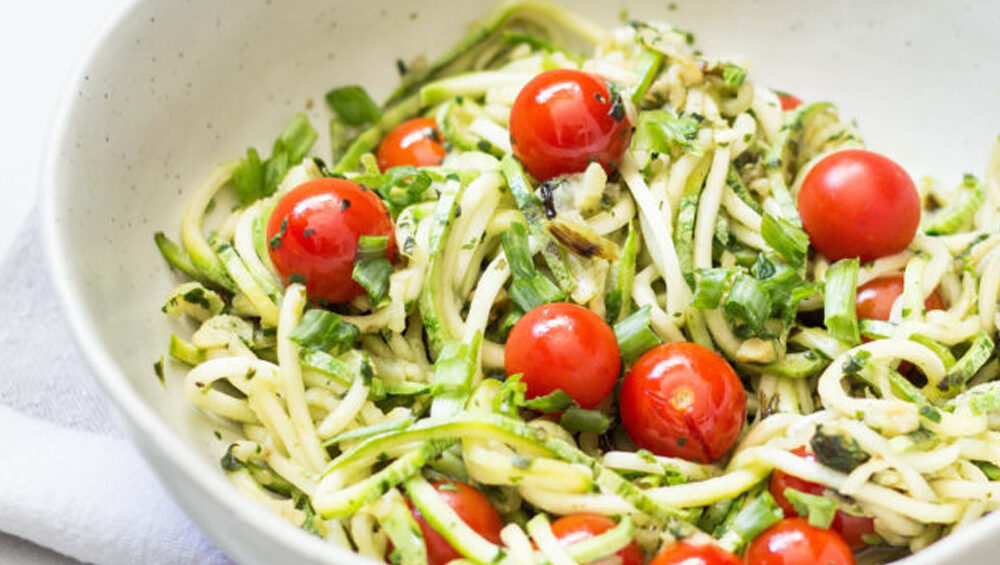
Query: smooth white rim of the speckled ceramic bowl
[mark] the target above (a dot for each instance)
(167, 443)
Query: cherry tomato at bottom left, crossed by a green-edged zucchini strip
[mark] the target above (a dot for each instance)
(472, 507)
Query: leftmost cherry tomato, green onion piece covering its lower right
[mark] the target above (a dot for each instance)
(313, 235)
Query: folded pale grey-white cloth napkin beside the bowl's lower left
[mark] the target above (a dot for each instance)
(68, 481)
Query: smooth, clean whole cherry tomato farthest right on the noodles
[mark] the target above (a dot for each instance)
(856, 203)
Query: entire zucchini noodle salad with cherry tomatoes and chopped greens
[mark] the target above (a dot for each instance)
(578, 295)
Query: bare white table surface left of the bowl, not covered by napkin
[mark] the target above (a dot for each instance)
(40, 42)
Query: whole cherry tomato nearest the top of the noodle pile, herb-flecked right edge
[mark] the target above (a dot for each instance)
(562, 120)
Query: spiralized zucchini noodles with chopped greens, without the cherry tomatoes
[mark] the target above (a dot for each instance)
(336, 436)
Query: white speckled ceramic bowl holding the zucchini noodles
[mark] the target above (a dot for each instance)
(172, 88)
